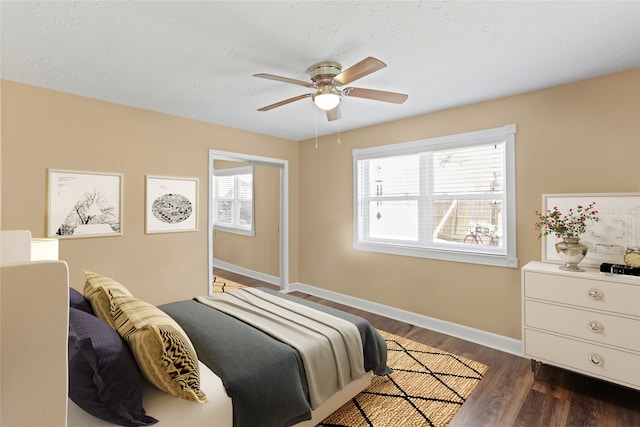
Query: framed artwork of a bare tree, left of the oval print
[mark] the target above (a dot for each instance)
(84, 204)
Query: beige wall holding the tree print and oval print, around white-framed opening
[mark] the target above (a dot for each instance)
(44, 129)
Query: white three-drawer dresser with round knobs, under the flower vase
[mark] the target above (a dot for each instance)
(588, 322)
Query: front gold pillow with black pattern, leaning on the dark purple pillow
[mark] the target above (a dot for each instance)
(160, 346)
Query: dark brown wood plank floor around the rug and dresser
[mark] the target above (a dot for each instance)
(509, 395)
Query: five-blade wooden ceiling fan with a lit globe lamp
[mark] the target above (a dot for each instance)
(326, 79)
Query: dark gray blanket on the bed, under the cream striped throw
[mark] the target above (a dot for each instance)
(264, 377)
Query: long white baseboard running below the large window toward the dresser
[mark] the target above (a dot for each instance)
(488, 339)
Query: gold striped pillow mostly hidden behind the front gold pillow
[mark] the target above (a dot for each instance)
(100, 291)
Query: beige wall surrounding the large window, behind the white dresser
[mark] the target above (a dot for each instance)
(577, 138)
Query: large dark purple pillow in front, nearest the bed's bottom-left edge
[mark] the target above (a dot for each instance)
(104, 379)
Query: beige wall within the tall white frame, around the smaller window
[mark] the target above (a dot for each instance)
(260, 252)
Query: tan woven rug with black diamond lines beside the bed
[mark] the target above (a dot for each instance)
(427, 387)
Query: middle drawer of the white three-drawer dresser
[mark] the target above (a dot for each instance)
(589, 325)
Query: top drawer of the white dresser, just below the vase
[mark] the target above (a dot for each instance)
(583, 292)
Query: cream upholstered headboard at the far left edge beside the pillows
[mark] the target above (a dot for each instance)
(34, 312)
